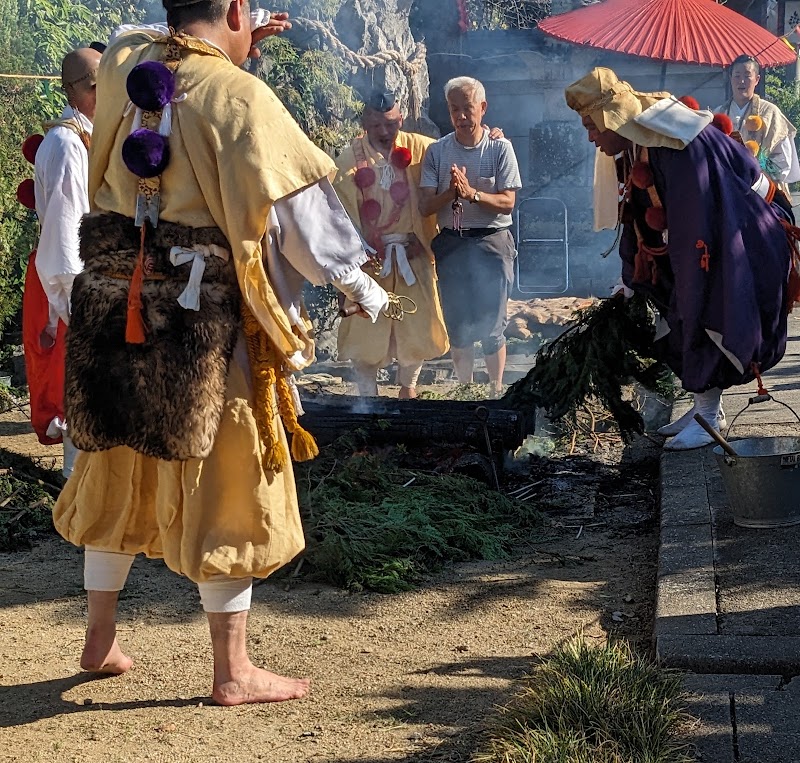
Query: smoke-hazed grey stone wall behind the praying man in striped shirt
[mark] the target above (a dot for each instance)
(525, 74)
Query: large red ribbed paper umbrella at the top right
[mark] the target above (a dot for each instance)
(681, 31)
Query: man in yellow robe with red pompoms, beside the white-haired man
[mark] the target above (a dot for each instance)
(377, 182)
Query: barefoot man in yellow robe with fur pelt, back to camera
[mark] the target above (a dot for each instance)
(199, 193)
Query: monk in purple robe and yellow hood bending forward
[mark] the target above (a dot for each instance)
(704, 235)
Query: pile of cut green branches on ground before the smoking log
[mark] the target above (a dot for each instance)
(366, 527)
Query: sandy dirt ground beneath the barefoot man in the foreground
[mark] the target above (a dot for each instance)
(411, 677)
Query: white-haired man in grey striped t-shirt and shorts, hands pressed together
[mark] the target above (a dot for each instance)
(470, 183)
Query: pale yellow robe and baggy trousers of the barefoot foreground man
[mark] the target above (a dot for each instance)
(234, 152)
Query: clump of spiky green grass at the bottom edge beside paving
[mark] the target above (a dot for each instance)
(589, 704)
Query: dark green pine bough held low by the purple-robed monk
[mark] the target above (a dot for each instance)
(607, 347)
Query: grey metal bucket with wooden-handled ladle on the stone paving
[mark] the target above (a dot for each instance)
(763, 481)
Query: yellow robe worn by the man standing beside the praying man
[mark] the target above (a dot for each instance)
(417, 337)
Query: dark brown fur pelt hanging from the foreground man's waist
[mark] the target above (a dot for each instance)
(163, 398)
